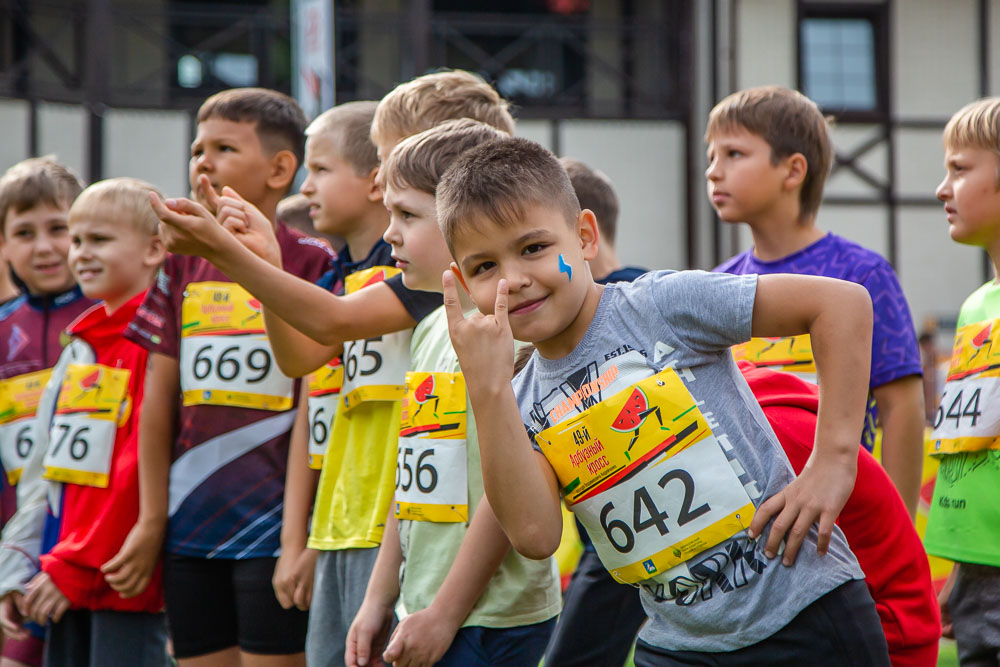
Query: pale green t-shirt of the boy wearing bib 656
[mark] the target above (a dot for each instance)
(522, 591)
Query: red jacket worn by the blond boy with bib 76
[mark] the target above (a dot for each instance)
(94, 522)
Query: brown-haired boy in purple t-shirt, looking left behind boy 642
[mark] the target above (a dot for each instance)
(769, 154)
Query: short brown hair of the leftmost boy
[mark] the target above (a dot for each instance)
(37, 180)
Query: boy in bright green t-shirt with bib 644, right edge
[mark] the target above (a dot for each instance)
(964, 513)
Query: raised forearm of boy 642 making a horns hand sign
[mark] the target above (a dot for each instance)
(519, 482)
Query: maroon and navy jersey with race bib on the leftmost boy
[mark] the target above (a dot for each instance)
(31, 339)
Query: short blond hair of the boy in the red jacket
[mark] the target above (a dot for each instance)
(118, 199)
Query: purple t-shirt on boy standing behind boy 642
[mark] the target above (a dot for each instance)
(894, 341)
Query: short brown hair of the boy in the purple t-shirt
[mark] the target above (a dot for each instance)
(790, 123)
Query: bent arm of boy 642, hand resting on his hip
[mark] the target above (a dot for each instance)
(838, 317)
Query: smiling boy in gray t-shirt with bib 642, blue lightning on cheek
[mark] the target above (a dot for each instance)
(638, 417)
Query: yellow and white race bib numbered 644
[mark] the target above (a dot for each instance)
(968, 417)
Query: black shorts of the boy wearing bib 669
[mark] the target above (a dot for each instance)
(215, 604)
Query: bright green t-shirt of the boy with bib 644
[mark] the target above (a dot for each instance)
(964, 520)
